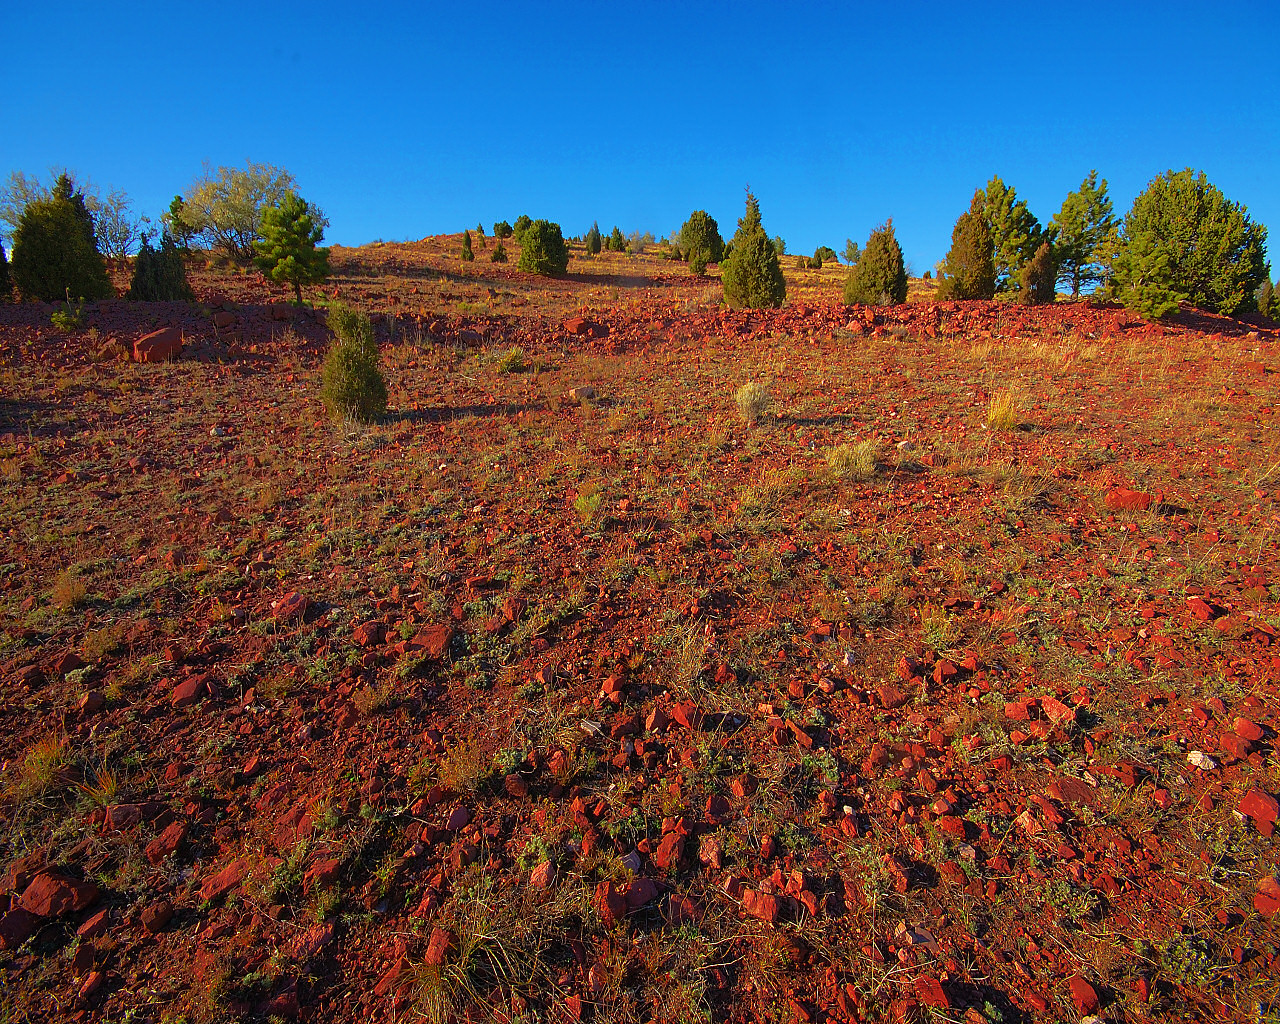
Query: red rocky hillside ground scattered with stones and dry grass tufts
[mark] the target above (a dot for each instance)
(565, 694)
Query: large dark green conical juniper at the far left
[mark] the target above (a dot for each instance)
(54, 254)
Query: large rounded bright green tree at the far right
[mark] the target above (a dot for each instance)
(1183, 241)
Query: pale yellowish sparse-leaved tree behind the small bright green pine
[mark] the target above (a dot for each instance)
(226, 207)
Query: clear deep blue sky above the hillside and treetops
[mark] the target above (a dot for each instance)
(412, 120)
